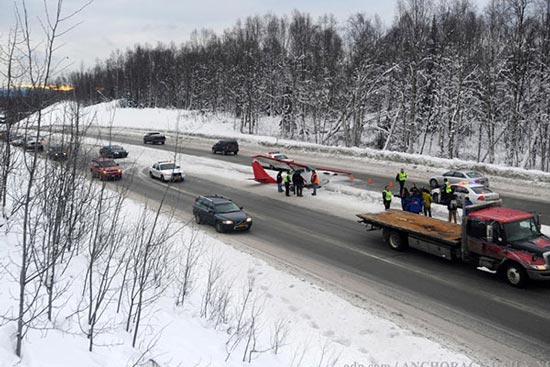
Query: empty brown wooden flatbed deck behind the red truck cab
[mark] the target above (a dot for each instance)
(427, 234)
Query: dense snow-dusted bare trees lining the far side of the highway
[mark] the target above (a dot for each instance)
(445, 79)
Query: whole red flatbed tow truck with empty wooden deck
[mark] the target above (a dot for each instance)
(501, 240)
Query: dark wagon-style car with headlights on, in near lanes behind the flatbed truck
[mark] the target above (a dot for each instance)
(222, 213)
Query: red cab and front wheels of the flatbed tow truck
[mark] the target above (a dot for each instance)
(507, 241)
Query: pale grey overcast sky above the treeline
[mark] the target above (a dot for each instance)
(107, 25)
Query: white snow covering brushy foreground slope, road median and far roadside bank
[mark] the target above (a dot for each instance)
(135, 283)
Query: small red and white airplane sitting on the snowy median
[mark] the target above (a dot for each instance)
(261, 175)
